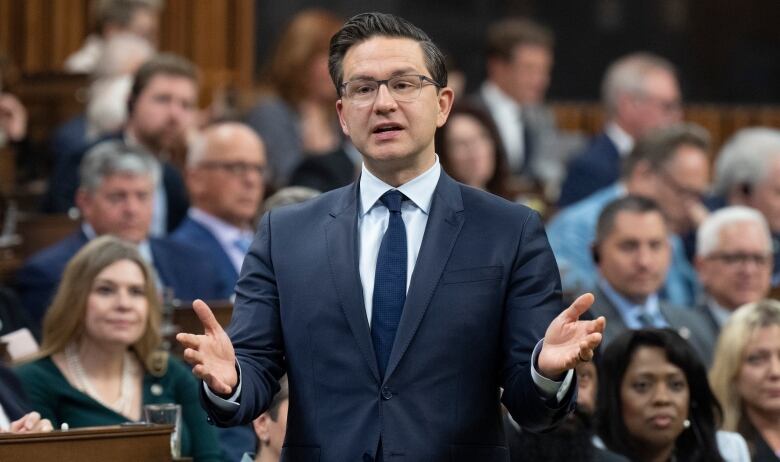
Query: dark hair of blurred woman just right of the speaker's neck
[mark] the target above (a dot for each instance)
(498, 184)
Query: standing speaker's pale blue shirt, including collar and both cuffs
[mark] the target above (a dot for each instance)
(373, 218)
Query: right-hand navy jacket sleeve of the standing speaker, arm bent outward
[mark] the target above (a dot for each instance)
(533, 301)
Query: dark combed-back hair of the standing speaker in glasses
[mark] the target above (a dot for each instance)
(367, 25)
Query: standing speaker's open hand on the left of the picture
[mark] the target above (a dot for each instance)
(210, 354)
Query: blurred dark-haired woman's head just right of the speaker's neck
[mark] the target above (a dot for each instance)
(470, 151)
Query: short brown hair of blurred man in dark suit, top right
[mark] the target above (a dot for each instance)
(505, 35)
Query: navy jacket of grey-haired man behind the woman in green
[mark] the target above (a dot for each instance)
(182, 267)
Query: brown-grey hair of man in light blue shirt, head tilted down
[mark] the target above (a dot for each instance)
(659, 146)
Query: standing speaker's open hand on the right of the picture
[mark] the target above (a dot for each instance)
(569, 341)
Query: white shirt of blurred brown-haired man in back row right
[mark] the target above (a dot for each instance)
(507, 115)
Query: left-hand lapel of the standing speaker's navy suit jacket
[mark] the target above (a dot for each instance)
(342, 240)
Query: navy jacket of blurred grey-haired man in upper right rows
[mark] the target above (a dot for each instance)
(596, 168)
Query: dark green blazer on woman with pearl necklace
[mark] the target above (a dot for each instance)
(57, 400)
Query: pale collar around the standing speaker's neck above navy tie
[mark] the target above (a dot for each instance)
(419, 190)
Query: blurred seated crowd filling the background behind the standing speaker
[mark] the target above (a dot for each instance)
(678, 240)
